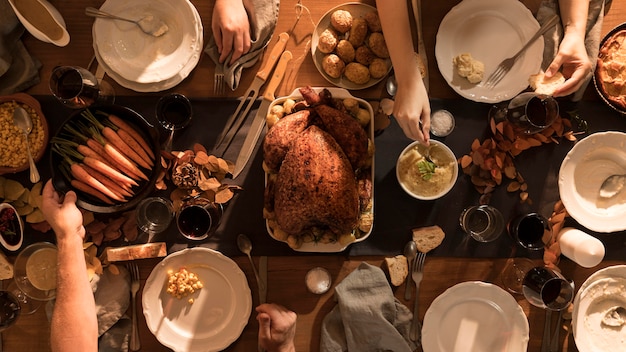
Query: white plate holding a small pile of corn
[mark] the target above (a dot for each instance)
(220, 310)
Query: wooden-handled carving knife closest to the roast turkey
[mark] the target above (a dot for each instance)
(259, 120)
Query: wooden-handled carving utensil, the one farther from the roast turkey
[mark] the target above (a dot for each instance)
(236, 120)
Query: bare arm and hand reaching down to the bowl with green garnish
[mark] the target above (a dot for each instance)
(411, 105)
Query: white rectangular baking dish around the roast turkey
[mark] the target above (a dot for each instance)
(334, 247)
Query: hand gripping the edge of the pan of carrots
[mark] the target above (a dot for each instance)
(61, 213)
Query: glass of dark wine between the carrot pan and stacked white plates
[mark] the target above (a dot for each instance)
(78, 88)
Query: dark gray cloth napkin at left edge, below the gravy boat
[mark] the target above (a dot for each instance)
(18, 69)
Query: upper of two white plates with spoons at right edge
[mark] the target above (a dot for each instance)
(583, 170)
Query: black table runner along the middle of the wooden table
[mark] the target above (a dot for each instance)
(396, 213)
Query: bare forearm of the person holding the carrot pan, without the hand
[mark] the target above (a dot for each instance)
(74, 324)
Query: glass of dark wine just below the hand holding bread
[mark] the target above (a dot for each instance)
(528, 112)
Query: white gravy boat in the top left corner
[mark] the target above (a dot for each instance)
(42, 20)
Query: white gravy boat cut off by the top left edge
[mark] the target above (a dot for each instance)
(61, 39)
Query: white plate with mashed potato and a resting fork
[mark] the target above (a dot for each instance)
(491, 31)
